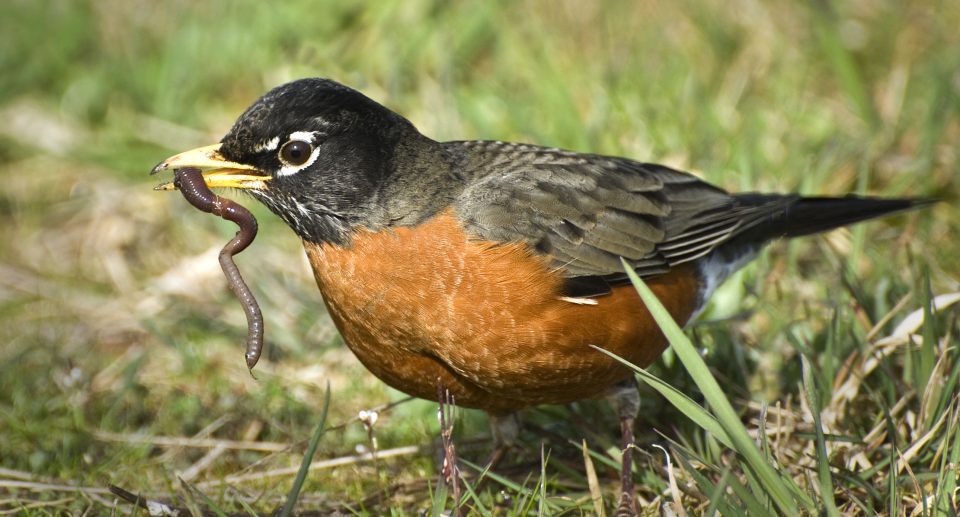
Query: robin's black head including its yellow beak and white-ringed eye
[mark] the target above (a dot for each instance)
(314, 151)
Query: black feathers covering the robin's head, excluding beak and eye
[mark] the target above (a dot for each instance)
(355, 146)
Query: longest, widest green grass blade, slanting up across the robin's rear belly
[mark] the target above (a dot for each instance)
(776, 485)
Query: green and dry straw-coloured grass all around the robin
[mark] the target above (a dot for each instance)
(121, 357)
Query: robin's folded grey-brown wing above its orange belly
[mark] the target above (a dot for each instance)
(587, 211)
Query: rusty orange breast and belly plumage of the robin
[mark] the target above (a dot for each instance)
(426, 303)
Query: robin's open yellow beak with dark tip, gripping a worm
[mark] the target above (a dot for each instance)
(217, 171)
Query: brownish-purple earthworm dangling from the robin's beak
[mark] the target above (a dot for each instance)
(195, 191)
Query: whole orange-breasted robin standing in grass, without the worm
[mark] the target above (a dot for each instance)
(493, 268)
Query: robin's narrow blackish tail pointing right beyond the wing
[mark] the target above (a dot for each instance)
(794, 216)
